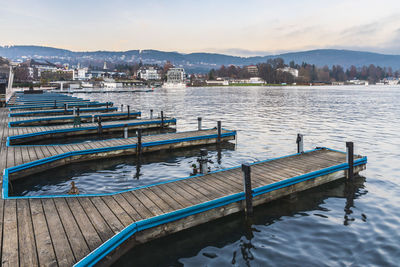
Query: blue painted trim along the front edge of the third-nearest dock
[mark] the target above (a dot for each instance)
(77, 129)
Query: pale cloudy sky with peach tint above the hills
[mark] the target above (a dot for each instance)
(245, 28)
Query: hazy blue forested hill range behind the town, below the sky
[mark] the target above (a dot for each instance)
(197, 62)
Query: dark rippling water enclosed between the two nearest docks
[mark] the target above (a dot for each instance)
(116, 174)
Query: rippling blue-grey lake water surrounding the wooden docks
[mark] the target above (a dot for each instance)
(340, 224)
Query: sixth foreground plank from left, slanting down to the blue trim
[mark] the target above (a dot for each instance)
(92, 238)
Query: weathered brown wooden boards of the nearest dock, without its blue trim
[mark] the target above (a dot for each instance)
(62, 231)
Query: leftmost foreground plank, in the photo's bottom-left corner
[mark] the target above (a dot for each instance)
(10, 235)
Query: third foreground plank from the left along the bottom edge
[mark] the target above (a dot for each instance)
(44, 243)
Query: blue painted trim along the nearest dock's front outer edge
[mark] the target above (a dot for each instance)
(103, 250)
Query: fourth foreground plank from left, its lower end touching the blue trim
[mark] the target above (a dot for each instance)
(62, 248)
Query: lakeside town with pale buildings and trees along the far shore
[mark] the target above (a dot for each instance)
(36, 73)
